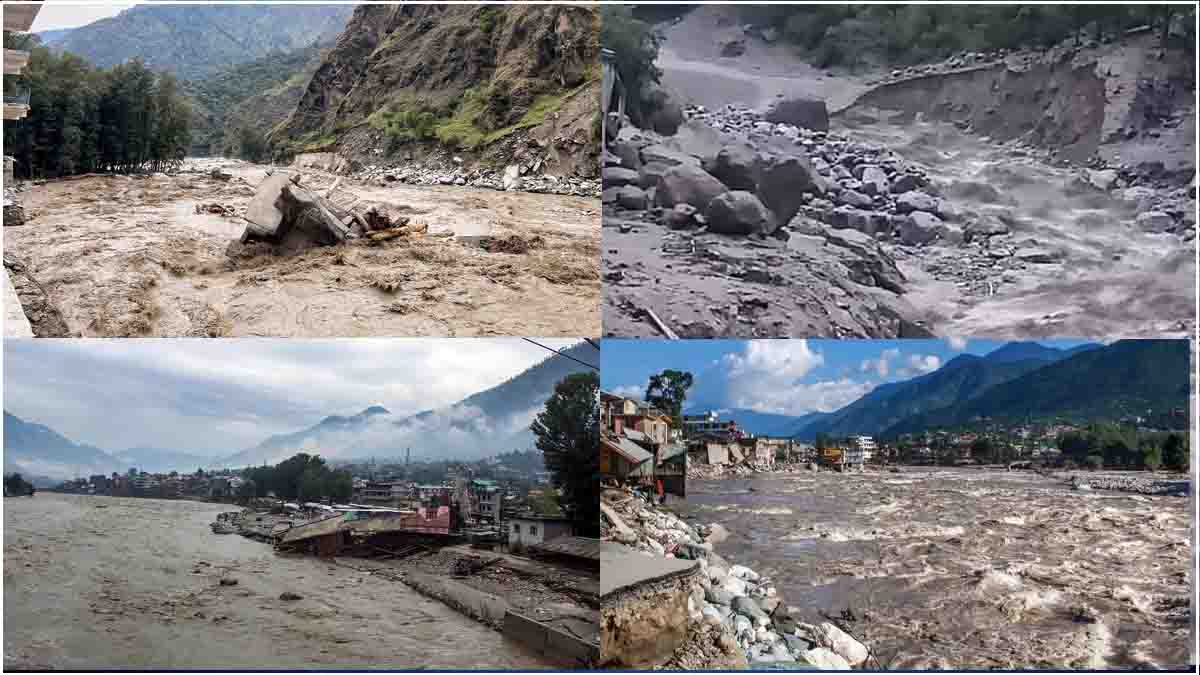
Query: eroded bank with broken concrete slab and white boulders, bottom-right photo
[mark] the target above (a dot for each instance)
(676, 604)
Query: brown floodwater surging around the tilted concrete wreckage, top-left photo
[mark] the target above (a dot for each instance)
(133, 258)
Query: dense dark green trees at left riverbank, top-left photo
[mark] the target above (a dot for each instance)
(83, 120)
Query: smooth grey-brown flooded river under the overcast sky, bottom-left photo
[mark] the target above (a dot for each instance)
(95, 583)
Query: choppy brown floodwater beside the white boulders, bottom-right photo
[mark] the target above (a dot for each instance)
(970, 569)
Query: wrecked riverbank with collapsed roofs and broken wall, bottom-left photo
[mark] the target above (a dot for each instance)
(544, 595)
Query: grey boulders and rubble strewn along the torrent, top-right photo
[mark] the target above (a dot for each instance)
(848, 186)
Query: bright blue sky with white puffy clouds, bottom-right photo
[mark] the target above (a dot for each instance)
(783, 377)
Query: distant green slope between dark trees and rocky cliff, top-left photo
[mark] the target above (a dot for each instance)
(254, 95)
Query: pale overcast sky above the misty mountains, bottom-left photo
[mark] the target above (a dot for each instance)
(218, 397)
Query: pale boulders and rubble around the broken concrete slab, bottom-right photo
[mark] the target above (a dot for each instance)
(731, 600)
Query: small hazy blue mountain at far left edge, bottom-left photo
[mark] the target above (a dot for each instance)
(38, 450)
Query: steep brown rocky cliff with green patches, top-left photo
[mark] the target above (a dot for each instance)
(405, 79)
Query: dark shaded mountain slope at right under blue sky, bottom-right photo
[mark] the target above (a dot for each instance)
(1130, 378)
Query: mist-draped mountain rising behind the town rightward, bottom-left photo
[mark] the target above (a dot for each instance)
(493, 421)
